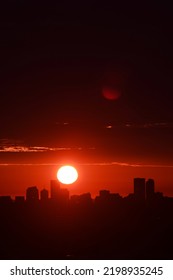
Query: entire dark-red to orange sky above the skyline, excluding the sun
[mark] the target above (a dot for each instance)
(88, 85)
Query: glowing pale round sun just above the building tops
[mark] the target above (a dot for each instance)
(67, 174)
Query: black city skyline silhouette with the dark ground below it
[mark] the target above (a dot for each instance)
(59, 226)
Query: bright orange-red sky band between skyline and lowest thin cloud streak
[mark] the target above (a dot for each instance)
(92, 177)
